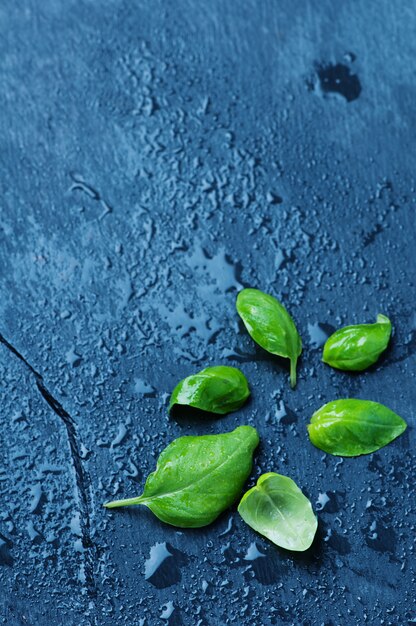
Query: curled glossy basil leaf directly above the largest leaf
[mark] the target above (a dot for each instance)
(219, 389)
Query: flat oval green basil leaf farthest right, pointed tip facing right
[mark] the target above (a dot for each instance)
(352, 427)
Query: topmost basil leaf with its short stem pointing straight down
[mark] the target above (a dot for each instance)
(270, 325)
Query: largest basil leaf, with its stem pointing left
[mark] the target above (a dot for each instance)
(196, 478)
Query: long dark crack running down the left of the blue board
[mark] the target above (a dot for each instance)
(81, 478)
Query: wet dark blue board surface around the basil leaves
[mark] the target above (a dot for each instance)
(155, 157)
